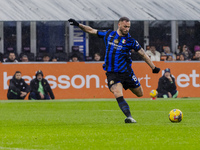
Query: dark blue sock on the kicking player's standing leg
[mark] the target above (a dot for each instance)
(124, 106)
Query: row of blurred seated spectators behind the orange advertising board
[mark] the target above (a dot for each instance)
(182, 53)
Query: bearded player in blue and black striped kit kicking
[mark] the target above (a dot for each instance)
(118, 62)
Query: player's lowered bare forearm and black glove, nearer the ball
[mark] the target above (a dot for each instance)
(146, 58)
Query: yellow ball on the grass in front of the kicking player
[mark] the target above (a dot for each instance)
(175, 115)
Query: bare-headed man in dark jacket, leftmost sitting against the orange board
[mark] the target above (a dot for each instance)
(18, 88)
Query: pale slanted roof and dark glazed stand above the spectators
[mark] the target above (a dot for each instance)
(41, 26)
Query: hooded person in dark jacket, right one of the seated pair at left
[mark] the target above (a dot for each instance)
(40, 88)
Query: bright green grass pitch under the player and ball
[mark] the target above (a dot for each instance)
(98, 124)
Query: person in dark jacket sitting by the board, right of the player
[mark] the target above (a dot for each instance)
(166, 85)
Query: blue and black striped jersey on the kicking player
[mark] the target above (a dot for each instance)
(118, 48)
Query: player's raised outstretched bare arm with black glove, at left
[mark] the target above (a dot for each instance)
(83, 27)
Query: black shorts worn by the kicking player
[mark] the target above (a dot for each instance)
(128, 80)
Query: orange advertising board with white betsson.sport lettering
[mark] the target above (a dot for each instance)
(88, 80)
